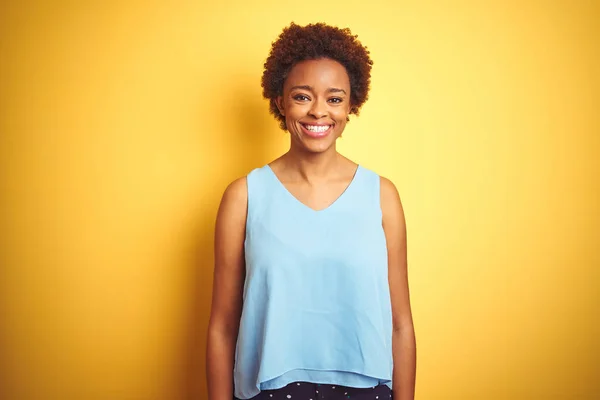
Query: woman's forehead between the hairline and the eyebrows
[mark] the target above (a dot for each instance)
(319, 74)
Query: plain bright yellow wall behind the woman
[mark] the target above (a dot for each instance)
(121, 123)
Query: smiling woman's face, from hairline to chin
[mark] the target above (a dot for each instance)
(316, 104)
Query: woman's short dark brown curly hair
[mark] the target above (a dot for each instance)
(311, 42)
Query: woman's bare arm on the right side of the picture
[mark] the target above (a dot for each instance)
(403, 336)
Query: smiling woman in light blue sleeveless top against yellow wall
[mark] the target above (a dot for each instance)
(311, 295)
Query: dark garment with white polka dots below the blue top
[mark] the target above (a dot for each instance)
(313, 391)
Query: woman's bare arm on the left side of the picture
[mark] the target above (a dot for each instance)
(228, 283)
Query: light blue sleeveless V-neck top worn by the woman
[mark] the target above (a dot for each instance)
(316, 302)
